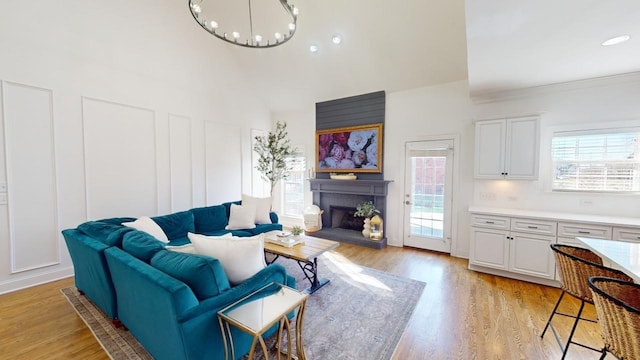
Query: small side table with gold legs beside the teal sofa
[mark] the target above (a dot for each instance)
(258, 312)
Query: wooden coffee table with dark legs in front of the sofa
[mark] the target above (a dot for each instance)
(306, 254)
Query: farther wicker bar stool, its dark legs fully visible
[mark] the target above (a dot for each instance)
(575, 266)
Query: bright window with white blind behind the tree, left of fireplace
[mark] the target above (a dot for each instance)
(293, 186)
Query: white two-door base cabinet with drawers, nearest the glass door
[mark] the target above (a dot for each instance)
(512, 244)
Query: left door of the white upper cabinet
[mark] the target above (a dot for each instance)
(490, 148)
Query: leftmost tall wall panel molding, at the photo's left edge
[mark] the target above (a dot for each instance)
(29, 140)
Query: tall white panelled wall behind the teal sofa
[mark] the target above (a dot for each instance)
(112, 108)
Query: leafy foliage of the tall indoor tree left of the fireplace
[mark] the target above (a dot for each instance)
(273, 151)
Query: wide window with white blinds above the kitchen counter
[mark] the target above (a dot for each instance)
(605, 161)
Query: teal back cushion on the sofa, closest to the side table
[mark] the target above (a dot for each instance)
(203, 274)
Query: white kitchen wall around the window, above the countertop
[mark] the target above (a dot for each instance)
(597, 103)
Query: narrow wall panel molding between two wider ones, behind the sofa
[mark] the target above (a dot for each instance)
(181, 162)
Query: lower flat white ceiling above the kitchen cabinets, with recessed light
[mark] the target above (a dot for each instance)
(519, 44)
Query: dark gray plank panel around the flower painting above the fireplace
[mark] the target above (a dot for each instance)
(352, 111)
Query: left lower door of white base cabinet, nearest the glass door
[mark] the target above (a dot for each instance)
(489, 248)
